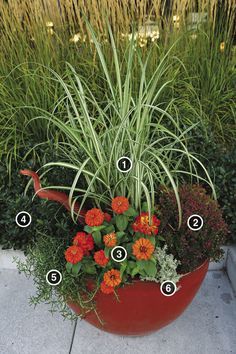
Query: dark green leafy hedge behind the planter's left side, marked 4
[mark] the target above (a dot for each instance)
(47, 217)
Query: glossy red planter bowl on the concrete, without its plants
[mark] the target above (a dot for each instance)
(142, 308)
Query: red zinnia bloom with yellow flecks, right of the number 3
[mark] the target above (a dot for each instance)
(142, 224)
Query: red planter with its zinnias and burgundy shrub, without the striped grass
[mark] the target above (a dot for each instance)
(123, 296)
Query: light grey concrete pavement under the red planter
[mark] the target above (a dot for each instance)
(208, 326)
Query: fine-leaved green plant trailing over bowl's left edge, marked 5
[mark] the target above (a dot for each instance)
(46, 254)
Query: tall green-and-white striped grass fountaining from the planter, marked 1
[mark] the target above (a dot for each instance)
(130, 120)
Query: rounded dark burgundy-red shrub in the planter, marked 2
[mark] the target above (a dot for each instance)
(191, 248)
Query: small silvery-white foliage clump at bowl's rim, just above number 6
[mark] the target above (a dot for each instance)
(166, 265)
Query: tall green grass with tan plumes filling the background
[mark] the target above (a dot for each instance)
(40, 34)
